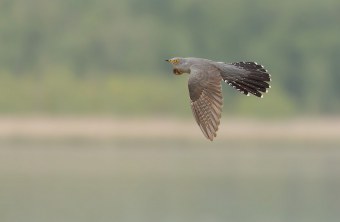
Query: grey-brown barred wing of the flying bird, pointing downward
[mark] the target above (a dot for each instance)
(206, 98)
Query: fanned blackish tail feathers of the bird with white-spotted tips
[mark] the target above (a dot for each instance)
(253, 80)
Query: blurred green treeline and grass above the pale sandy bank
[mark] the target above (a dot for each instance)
(90, 57)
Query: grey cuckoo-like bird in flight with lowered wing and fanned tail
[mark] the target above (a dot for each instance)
(205, 88)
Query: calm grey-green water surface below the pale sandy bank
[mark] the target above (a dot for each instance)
(172, 180)
